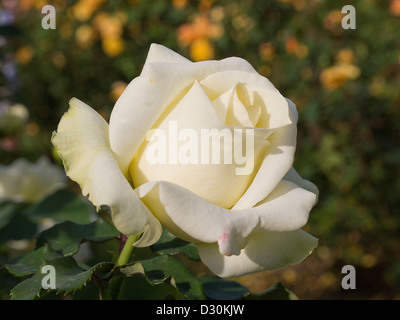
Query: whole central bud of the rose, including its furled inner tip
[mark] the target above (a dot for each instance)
(210, 147)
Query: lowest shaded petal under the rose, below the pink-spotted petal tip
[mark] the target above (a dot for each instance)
(264, 251)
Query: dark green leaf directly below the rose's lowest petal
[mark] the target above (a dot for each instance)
(217, 288)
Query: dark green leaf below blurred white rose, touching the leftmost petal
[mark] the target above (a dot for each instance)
(61, 205)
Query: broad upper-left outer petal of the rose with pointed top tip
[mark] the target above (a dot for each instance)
(148, 95)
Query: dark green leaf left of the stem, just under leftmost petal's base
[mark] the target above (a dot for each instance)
(67, 236)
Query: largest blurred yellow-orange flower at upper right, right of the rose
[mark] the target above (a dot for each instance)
(337, 75)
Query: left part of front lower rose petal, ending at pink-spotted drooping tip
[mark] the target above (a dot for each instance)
(194, 219)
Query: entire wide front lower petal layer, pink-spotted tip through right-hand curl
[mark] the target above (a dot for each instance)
(194, 219)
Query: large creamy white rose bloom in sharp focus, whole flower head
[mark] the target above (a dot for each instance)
(240, 223)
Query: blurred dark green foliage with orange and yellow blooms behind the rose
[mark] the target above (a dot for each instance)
(345, 84)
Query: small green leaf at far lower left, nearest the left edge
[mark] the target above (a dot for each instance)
(30, 262)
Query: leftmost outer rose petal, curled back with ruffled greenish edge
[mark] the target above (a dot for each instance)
(83, 144)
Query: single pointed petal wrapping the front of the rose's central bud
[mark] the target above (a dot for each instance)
(195, 113)
